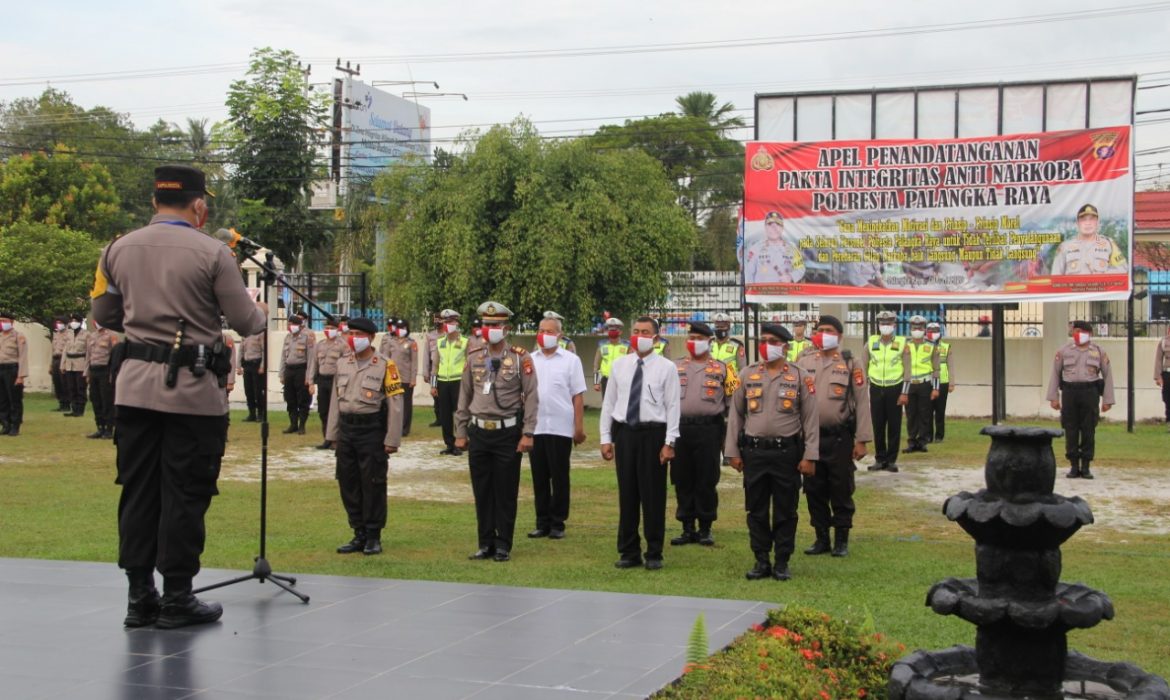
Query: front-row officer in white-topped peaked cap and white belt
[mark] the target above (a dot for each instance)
(497, 421)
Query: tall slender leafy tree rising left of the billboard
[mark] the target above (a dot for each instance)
(279, 123)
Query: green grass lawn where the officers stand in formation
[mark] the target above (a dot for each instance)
(58, 500)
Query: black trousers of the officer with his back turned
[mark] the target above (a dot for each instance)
(168, 468)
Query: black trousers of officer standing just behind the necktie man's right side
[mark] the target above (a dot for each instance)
(696, 473)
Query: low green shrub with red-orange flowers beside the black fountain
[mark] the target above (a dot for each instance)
(797, 655)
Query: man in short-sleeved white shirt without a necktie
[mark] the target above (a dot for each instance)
(560, 426)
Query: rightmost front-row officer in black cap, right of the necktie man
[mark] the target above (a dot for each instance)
(774, 437)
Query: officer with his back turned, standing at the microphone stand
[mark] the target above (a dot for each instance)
(164, 286)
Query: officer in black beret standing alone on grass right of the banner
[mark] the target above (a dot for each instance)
(1082, 378)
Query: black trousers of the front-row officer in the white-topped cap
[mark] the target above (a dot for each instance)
(495, 482)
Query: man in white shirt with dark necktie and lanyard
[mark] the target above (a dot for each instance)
(639, 427)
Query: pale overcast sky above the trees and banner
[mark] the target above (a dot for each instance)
(573, 66)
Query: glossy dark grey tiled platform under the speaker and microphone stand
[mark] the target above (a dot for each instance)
(61, 637)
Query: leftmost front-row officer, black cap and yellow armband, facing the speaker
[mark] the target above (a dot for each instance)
(366, 428)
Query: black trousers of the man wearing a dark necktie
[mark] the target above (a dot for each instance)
(642, 489)
